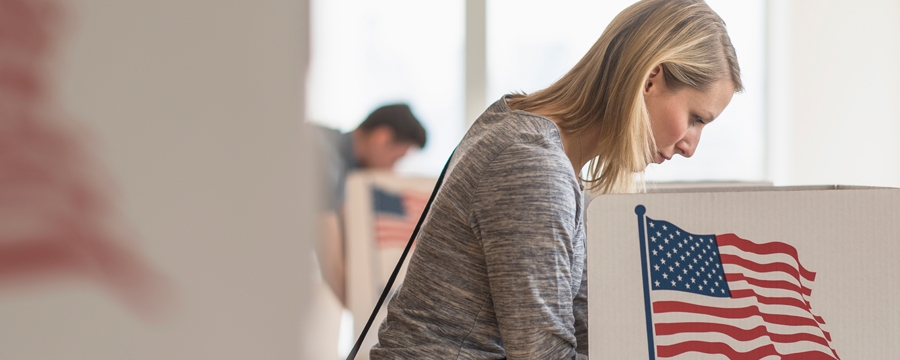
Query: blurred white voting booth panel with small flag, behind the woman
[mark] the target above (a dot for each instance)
(381, 211)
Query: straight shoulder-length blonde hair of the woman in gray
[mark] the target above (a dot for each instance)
(685, 37)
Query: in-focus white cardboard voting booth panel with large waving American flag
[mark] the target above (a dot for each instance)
(726, 273)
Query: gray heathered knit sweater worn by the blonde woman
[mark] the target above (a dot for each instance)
(499, 266)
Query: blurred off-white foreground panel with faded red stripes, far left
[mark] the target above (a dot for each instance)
(181, 120)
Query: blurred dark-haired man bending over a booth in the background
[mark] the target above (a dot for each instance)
(384, 137)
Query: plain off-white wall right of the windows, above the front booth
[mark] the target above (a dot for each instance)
(834, 100)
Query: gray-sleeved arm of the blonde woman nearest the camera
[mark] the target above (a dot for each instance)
(524, 212)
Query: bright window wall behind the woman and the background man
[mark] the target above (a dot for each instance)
(818, 104)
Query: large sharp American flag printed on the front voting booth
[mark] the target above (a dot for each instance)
(715, 295)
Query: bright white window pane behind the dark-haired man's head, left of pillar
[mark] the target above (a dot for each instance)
(365, 54)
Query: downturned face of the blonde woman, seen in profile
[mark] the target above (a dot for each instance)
(678, 117)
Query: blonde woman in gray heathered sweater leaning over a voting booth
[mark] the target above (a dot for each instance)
(499, 269)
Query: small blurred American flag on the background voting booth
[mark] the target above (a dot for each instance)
(396, 215)
